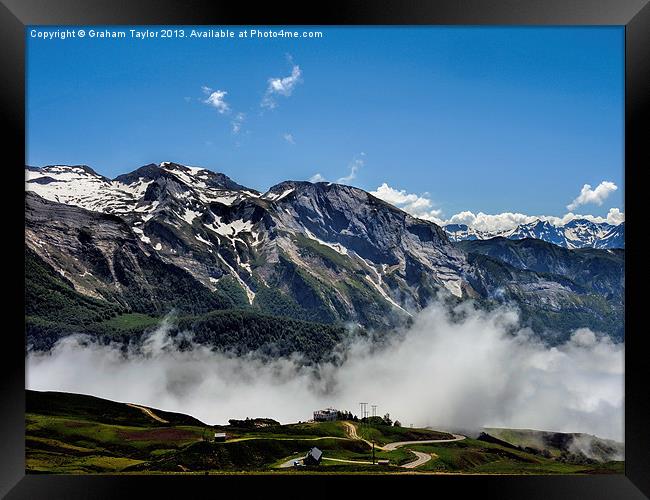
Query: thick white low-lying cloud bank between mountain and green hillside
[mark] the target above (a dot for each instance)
(473, 370)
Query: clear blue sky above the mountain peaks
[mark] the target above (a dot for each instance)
(470, 119)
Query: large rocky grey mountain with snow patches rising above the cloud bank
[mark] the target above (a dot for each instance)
(170, 236)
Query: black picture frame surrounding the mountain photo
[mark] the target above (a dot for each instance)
(633, 14)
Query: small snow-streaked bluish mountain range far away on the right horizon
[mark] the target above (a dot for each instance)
(577, 233)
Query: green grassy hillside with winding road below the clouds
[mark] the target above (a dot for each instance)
(72, 433)
